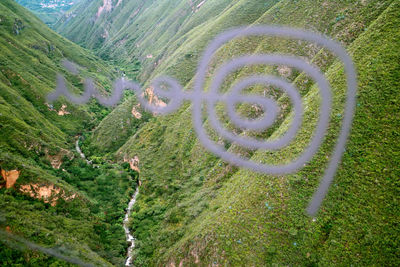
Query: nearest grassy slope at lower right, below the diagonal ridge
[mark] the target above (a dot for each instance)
(260, 220)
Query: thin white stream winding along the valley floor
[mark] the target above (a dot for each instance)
(129, 237)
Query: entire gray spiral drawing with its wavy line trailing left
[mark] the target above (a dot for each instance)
(199, 96)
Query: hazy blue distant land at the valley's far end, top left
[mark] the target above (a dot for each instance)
(49, 11)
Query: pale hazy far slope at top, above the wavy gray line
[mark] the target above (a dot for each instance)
(154, 32)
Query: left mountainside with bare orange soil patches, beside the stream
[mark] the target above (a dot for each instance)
(50, 197)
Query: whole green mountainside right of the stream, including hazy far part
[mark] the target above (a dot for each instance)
(193, 208)
